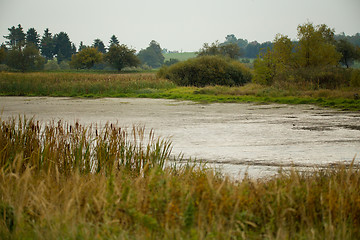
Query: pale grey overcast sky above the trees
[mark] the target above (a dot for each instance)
(176, 24)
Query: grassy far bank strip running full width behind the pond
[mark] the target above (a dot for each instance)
(148, 85)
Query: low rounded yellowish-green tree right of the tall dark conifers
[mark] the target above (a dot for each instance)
(86, 58)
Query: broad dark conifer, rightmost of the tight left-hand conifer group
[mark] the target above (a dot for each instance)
(63, 49)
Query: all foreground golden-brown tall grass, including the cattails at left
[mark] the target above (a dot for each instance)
(62, 181)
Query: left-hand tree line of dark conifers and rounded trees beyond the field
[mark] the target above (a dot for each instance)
(30, 51)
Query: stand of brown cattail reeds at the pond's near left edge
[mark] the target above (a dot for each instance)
(67, 148)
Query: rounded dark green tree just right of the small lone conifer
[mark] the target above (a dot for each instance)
(120, 56)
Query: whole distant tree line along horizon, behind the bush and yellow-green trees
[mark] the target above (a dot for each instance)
(30, 51)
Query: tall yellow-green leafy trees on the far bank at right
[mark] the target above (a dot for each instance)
(312, 61)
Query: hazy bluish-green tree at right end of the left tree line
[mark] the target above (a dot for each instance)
(152, 55)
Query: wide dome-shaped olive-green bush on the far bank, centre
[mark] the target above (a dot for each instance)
(207, 70)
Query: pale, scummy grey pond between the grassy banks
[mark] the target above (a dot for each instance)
(236, 138)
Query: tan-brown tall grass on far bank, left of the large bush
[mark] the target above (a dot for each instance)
(79, 84)
